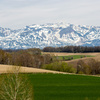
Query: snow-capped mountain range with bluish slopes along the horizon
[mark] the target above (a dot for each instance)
(56, 35)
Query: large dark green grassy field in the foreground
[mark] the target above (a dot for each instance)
(65, 87)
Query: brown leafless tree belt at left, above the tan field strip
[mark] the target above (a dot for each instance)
(29, 57)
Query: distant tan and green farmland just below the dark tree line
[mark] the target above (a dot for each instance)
(74, 62)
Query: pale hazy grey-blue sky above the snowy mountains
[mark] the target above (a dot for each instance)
(19, 13)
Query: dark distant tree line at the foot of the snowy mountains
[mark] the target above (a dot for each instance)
(72, 49)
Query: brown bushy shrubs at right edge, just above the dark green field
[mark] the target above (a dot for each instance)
(91, 67)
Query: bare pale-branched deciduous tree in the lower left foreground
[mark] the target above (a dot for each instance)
(15, 87)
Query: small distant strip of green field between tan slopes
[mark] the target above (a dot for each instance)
(73, 56)
